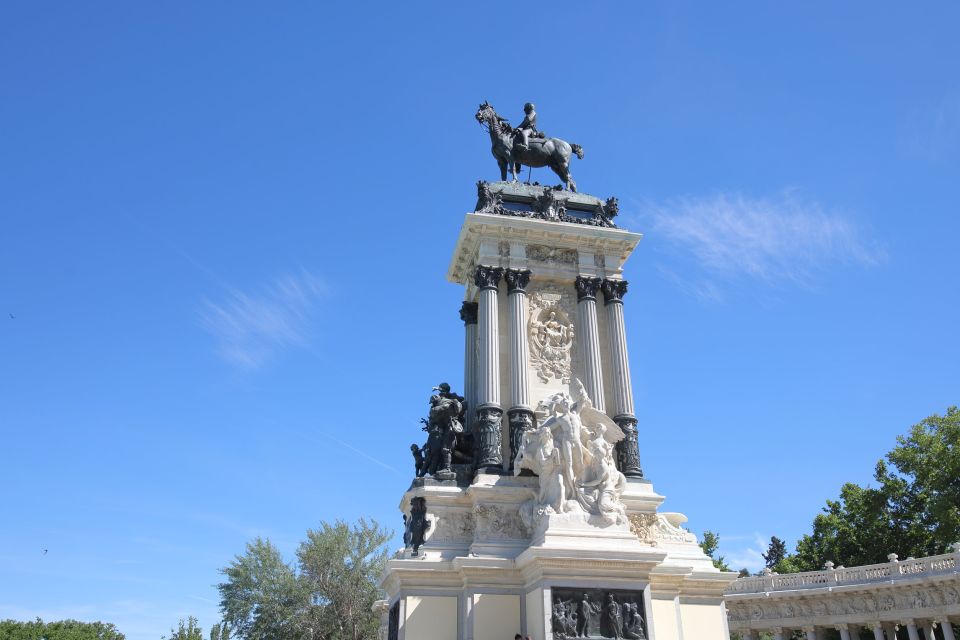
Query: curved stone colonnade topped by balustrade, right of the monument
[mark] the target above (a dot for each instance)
(917, 598)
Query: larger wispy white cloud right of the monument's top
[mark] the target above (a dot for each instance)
(727, 237)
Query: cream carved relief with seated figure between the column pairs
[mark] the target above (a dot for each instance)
(551, 334)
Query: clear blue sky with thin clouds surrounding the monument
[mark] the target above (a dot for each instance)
(224, 230)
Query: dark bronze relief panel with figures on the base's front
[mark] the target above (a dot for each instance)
(597, 613)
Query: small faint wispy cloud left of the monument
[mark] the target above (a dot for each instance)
(252, 327)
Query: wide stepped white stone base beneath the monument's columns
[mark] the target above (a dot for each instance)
(484, 574)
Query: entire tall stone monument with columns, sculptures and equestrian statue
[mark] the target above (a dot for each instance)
(529, 511)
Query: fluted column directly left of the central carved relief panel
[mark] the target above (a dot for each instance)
(520, 414)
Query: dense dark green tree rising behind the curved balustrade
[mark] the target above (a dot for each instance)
(914, 509)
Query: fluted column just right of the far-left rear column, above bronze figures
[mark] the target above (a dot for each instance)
(486, 431)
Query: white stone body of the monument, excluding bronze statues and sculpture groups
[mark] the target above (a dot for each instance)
(486, 570)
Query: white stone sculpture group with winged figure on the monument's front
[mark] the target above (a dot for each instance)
(572, 453)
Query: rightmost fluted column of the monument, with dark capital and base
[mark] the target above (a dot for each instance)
(628, 449)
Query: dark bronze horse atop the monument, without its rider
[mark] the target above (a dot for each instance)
(540, 152)
